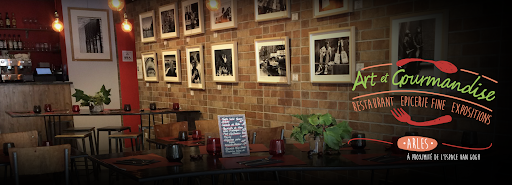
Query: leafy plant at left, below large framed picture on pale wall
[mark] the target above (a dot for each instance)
(95, 102)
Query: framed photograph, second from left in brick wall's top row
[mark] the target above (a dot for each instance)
(169, 27)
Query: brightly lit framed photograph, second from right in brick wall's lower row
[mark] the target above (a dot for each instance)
(272, 60)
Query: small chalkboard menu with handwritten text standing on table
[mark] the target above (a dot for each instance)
(233, 135)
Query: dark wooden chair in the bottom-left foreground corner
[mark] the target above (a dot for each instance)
(40, 160)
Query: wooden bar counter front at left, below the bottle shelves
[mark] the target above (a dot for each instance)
(24, 96)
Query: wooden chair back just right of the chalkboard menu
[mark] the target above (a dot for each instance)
(265, 135)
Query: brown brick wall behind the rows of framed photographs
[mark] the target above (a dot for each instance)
(474, 34)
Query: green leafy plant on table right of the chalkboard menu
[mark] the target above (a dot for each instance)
(323, 131)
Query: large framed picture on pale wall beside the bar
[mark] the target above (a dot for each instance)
(90, 34)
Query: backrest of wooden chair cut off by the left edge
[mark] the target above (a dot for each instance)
(21, 139)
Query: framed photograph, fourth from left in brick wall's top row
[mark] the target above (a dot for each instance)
(225, 16)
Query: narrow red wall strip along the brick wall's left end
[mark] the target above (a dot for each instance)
(128, 77)
